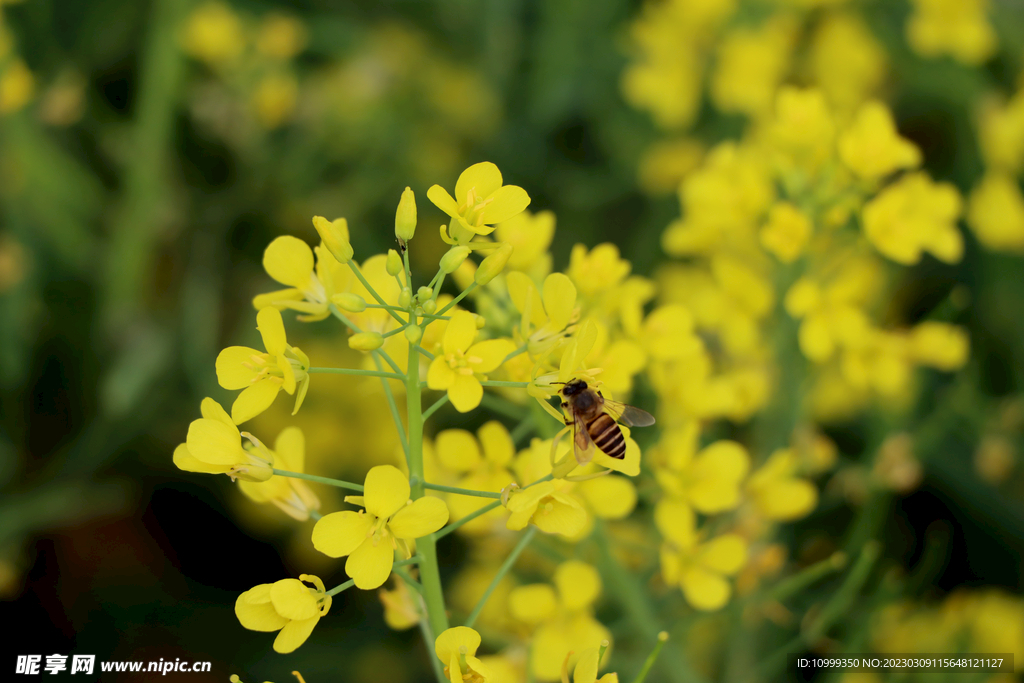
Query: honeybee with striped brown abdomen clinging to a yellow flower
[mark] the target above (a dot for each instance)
(595, 421)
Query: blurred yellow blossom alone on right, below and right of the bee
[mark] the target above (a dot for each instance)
(777, 491)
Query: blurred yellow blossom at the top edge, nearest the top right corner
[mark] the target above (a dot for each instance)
(959, 28)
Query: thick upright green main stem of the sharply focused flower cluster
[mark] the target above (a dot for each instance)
(431, 578)
